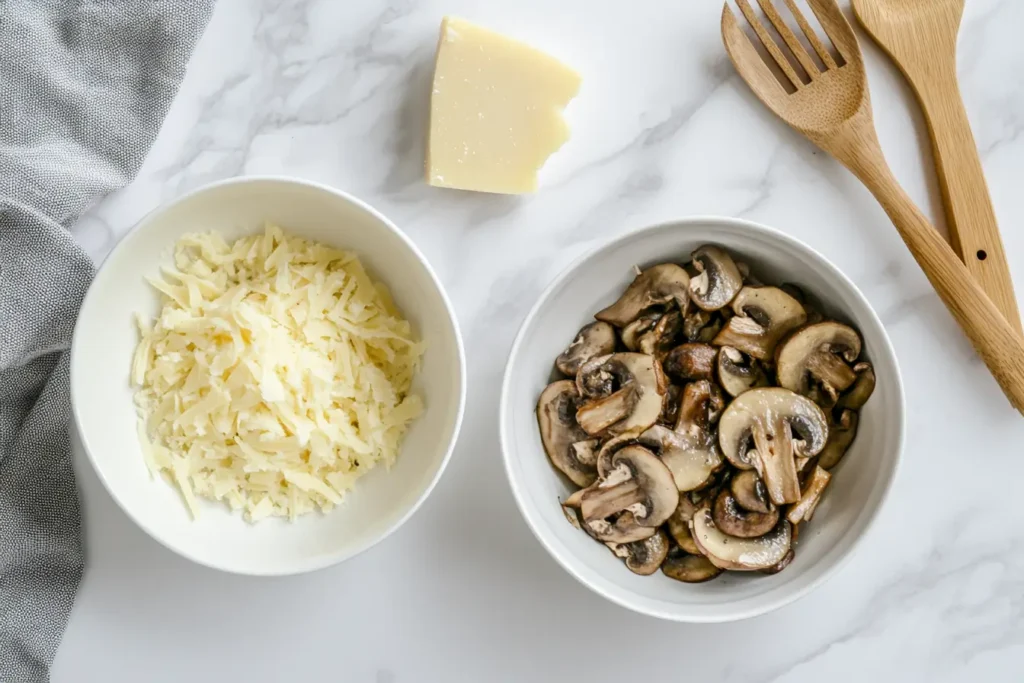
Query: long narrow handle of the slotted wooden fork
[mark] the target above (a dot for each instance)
(1000, 347)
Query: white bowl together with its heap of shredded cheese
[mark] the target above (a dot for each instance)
(268, 376)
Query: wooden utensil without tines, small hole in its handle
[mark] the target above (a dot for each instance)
(921, 38)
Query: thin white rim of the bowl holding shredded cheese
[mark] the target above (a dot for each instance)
(330, 560)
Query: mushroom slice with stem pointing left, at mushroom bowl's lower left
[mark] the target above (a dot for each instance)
(639, 483)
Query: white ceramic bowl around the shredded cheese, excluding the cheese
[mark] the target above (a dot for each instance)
(105, 339)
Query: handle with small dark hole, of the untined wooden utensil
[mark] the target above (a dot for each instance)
(973, 228)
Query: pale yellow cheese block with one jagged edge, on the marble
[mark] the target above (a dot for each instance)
(496, 111)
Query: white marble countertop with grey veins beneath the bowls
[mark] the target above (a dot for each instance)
(337, 93)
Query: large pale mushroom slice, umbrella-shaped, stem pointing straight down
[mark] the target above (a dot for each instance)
(782, 425)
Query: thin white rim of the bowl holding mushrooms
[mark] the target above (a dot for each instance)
(802, 589)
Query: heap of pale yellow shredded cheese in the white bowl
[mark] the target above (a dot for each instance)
(277, 374)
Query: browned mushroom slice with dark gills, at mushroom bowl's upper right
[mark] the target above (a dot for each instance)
(819, 355)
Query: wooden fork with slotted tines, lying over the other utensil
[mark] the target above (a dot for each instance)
(834, 111)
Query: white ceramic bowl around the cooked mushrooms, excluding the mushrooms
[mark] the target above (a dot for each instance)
(862, 481)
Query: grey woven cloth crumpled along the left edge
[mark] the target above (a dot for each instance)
(84, 87)
